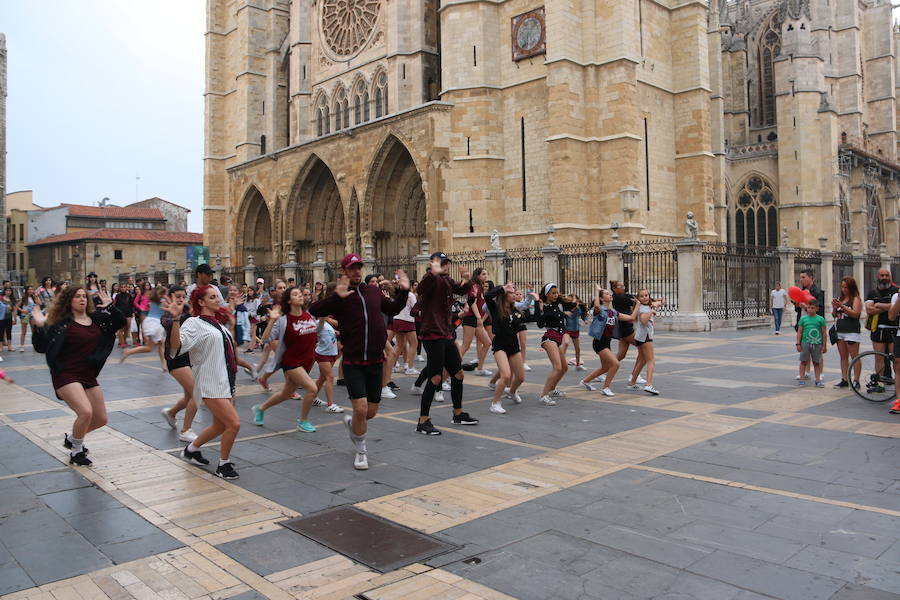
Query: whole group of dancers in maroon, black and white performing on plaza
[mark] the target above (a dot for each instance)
(197, 334)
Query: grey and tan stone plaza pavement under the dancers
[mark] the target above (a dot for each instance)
(734, 483)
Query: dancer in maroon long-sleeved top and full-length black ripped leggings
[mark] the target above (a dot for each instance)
(435, 297)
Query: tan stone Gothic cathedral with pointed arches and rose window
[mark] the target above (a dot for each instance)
(371, 125)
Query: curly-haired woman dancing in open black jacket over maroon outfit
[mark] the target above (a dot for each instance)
(77, 338)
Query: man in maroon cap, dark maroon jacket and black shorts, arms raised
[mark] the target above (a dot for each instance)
(357, 307)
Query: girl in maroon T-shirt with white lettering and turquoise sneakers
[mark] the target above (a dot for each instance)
(297, 333)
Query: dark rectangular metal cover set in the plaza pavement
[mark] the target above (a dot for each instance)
(365, 538)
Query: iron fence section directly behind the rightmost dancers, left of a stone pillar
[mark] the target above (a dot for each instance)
(653, 266)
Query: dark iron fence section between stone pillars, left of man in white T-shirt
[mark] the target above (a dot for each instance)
(737, 280)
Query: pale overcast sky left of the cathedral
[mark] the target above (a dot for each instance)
(102, 92)
